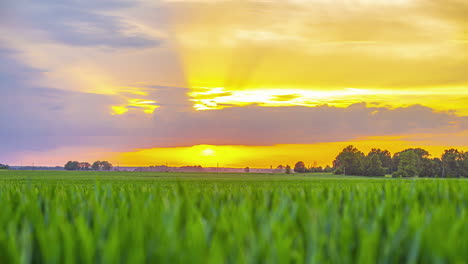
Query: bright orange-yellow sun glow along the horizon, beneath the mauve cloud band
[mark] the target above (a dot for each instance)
(286, 154)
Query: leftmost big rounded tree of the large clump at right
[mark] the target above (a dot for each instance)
(349, 161)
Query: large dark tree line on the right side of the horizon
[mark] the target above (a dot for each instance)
(412, 162)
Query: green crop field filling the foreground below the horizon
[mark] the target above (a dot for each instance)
(117, 217)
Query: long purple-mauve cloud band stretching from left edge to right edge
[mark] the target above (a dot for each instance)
(43, 118)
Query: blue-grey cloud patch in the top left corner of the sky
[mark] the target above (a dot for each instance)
(77, 23)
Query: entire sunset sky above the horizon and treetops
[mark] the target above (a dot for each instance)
(231, 82)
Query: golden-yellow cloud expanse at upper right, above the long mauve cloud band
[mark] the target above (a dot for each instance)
(282, 53)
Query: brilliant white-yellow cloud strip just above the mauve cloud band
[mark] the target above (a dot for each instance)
(440, 99)
